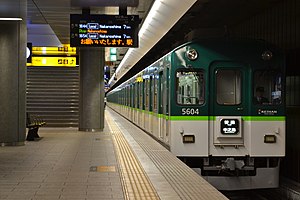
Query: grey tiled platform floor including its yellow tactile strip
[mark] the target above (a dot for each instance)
(122, 162)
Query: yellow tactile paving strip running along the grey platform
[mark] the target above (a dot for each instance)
(135, 182)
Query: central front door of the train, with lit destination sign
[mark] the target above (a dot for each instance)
(228, 103)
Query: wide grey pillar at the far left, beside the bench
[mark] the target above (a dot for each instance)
(13, 41)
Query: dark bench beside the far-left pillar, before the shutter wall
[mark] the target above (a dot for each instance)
(33, 123)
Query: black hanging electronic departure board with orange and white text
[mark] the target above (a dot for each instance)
(104, 30)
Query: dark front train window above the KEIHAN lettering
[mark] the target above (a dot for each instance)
(267, 88)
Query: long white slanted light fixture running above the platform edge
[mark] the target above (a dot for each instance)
(152, 30)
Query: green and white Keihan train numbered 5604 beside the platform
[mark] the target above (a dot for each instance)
(218, 105)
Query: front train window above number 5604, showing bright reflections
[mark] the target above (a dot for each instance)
(189, 87)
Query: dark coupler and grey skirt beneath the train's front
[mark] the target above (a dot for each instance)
(237, 173)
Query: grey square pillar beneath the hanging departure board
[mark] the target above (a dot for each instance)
(91, 99)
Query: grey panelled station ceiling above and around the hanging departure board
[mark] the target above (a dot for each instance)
(56, 14)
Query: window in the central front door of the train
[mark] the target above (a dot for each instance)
(228, 85)
